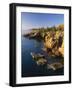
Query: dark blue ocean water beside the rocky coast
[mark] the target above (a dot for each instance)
(29, 66)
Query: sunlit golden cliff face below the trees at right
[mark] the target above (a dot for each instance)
(54, 43)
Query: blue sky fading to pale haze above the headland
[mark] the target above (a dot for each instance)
(38, 20)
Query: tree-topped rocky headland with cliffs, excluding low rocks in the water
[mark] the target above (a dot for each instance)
(53, 39)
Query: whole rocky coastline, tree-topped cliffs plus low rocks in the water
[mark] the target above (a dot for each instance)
(53, 40)
